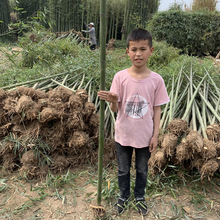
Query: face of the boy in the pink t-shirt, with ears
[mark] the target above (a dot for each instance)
(139, 52)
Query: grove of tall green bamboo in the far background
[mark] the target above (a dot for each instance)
(64, 15)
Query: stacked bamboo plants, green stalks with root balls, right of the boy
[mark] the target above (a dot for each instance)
(190, 130)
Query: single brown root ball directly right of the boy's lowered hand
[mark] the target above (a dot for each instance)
(169, 144)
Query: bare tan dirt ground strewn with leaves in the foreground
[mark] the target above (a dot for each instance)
(22, 199)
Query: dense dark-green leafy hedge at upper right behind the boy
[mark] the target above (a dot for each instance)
(196, 33)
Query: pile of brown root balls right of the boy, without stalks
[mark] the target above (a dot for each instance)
(181, 146)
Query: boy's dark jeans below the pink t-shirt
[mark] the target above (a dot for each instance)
(124, 157)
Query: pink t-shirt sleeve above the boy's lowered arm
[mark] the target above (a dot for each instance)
(161, 97)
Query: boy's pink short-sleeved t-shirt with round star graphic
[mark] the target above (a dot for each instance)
(134, 123)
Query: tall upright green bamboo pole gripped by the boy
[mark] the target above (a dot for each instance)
(102, 87)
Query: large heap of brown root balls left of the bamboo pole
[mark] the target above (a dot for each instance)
(47, 130)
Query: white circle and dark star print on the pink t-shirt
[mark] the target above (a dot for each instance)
(136, 106)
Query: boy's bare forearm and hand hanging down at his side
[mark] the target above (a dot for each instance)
(156, 119)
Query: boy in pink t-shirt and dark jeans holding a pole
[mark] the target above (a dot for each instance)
(137, 94)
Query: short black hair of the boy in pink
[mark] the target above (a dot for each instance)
(139, 34)
